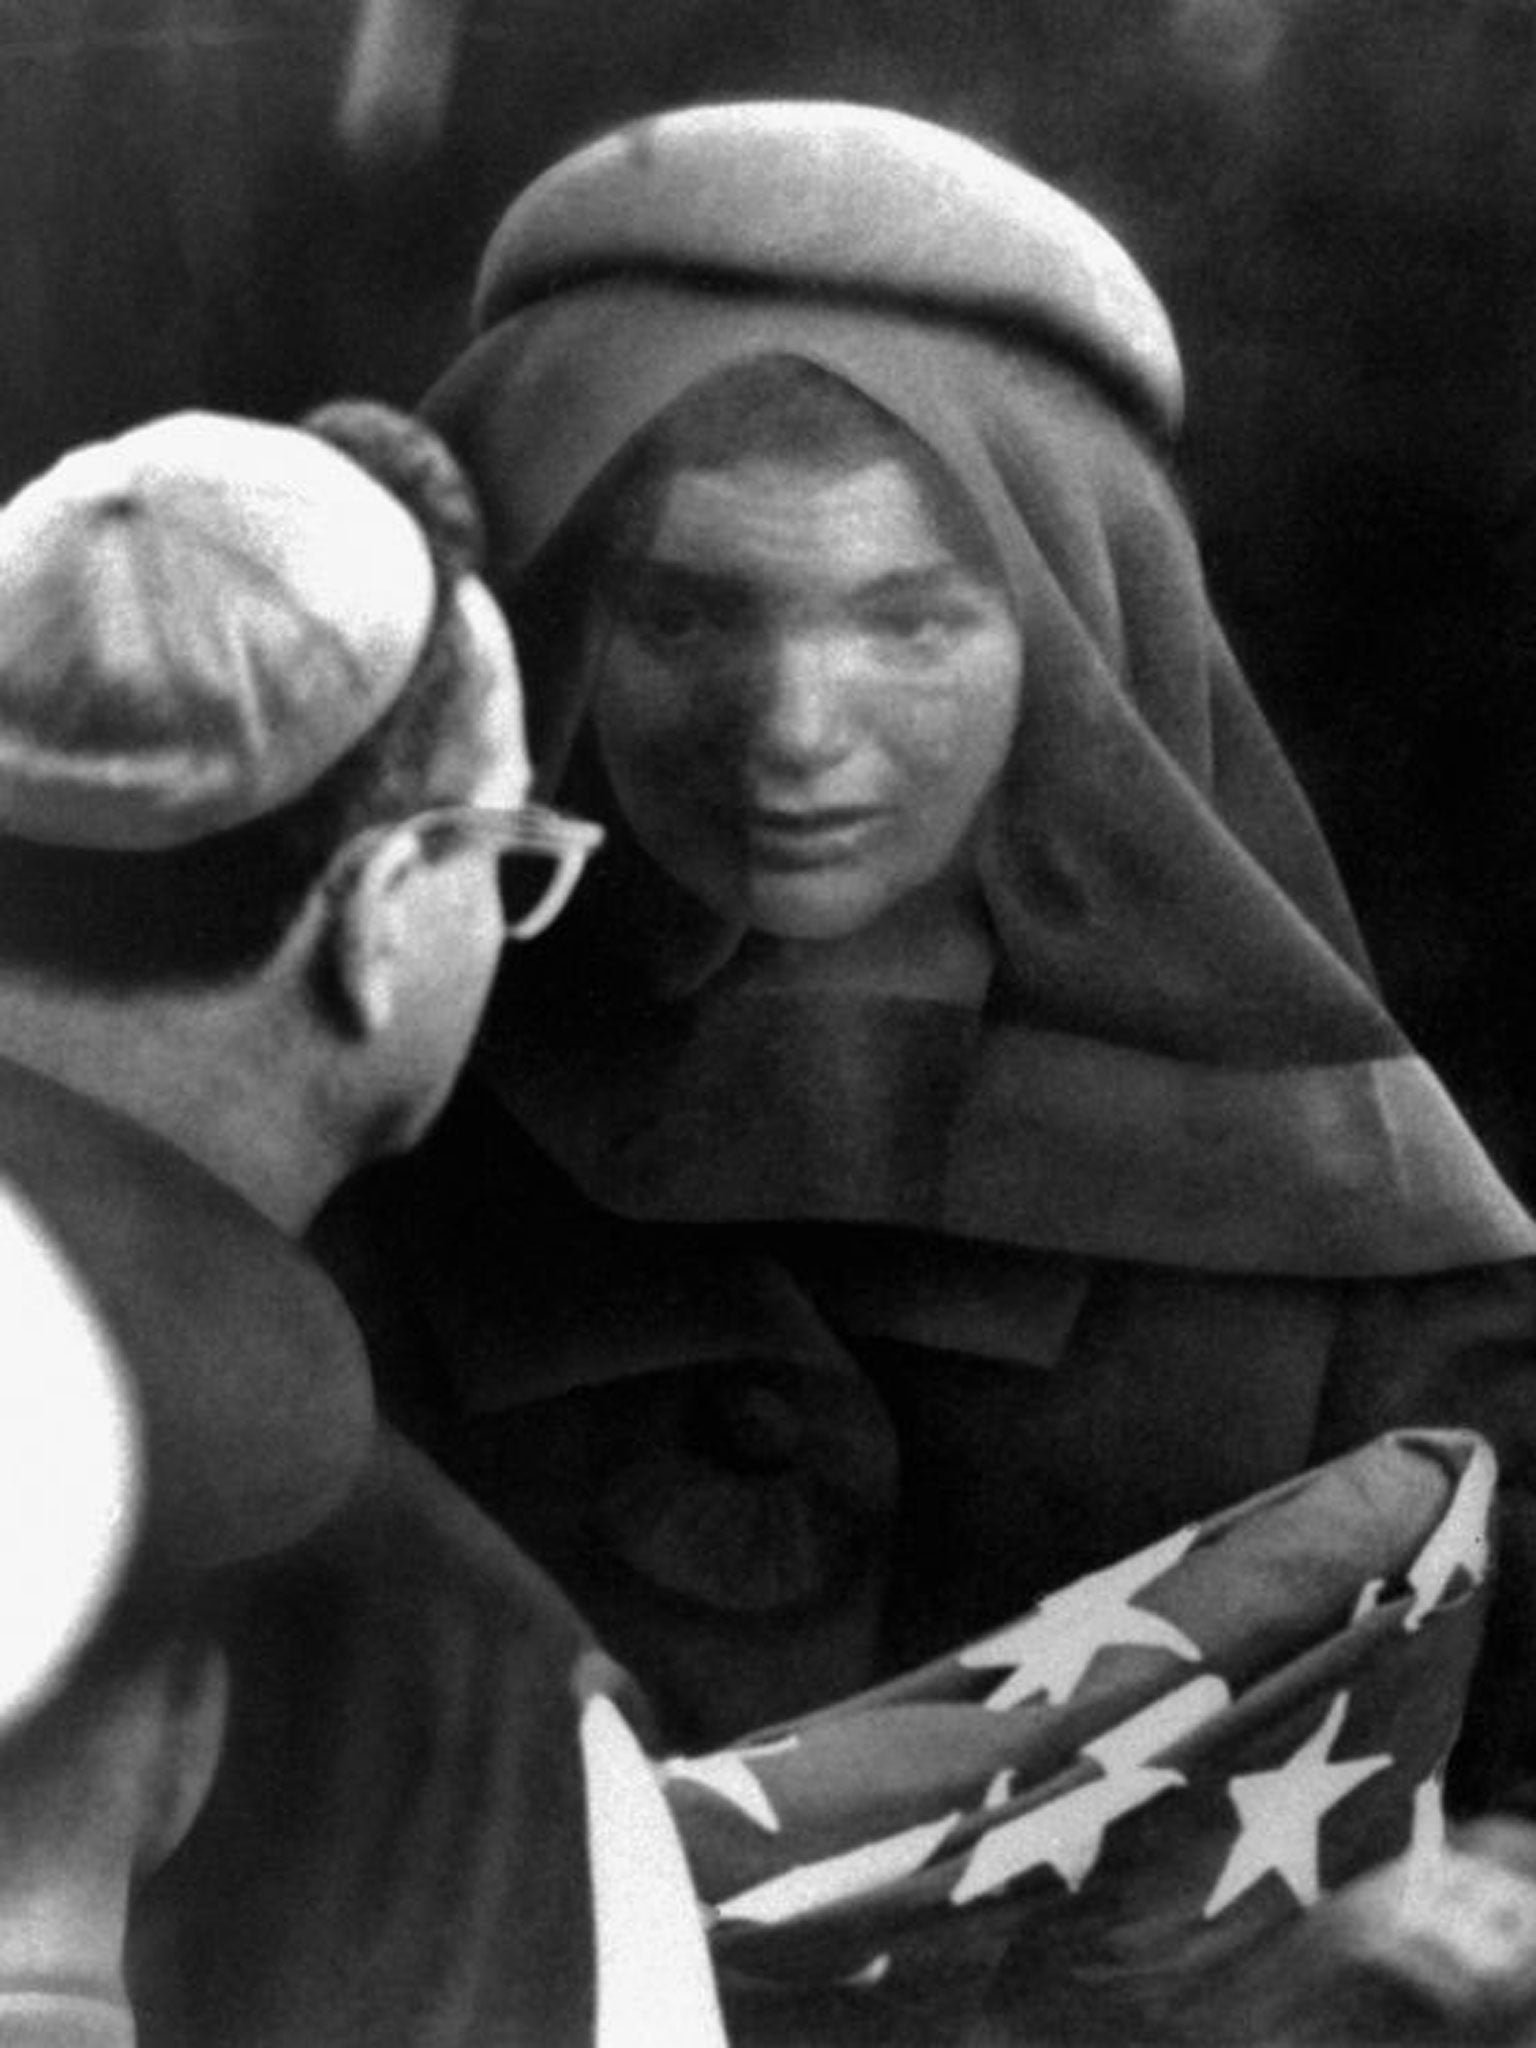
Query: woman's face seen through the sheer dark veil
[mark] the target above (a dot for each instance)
(804, 695)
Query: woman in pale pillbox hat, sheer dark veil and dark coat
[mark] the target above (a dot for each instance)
(955, 1134)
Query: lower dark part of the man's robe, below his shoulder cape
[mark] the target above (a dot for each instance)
(396, 1846)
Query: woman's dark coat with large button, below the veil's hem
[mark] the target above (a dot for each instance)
(775, 1463)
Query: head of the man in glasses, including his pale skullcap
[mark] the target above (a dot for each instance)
(243, 675)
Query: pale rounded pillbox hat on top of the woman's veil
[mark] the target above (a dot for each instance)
(828, 196)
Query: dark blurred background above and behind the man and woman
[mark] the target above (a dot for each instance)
(257, 204)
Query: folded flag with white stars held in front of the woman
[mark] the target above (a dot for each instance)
(1084, 1826)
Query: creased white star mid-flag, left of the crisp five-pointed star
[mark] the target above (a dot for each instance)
(1068, 1834)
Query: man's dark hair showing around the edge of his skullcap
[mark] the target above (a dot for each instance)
(216, 908)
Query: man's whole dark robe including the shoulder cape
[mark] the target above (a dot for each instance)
(394, 1852)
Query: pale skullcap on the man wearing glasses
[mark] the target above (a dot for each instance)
(198, 620)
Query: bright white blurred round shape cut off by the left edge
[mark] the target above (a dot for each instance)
(69, 1463)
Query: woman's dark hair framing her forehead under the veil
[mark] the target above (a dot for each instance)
(773, 409)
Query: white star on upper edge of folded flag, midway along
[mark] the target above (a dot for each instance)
(1058, 1641)
